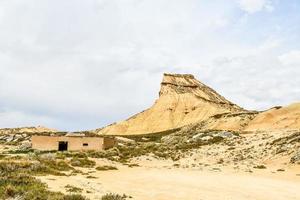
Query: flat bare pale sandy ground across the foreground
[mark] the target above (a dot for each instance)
(144, 183)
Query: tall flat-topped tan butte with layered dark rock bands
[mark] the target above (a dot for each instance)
(182, 100)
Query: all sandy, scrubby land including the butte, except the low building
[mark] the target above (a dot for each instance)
(200, 146)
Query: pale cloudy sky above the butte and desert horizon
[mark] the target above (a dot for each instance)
(83, 64)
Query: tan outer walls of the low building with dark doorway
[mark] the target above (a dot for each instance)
(49, 143)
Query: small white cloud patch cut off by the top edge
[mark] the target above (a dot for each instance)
(252, 6)
